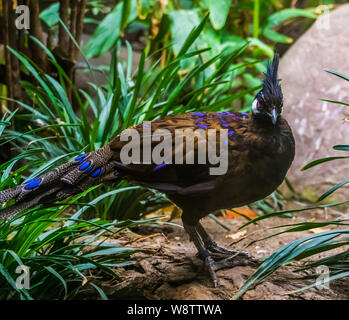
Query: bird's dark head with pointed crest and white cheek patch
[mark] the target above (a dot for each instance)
(267, 106)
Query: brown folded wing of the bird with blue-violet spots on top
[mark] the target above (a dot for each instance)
(171, 176)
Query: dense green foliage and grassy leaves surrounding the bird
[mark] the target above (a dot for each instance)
(196, 55)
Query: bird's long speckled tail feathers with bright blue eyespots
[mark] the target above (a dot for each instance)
(65, 181)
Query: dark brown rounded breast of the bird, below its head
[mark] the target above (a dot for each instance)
(258, 170)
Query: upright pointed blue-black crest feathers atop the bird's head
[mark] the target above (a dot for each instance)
(272, 94)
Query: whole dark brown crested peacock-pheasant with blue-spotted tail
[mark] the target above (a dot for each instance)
(260, 149)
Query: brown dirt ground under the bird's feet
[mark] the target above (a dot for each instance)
(169, 269)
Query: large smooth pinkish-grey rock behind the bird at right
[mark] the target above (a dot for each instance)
(317, 125)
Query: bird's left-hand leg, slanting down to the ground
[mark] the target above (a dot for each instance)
(202, 251)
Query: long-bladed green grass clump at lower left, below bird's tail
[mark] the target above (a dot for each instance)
(56, 249)
